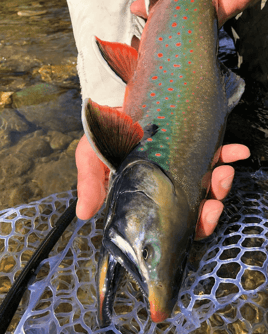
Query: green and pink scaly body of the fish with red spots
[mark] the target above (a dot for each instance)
(184, 88)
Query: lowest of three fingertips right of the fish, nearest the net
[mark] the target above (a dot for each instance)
(209, 218)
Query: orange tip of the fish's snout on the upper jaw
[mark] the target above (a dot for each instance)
(161, 302)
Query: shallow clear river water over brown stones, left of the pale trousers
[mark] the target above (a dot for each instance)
(40, 101)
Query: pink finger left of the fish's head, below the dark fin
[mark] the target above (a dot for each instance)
(90, 180)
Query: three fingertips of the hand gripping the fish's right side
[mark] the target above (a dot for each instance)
(221, 183)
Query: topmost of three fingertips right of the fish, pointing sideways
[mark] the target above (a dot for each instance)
(234, 152)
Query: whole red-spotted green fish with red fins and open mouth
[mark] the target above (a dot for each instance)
(161, 149)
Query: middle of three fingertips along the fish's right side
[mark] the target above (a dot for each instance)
(221, 181)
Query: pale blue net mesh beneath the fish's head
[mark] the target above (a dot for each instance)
(225, 288)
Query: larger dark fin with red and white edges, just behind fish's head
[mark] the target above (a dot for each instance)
(113, 133)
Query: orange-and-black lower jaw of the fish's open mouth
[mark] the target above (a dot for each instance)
(108, 277)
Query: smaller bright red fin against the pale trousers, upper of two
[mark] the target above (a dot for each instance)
(122, 58)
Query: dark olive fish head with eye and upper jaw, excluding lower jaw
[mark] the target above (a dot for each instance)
(148, 231)
